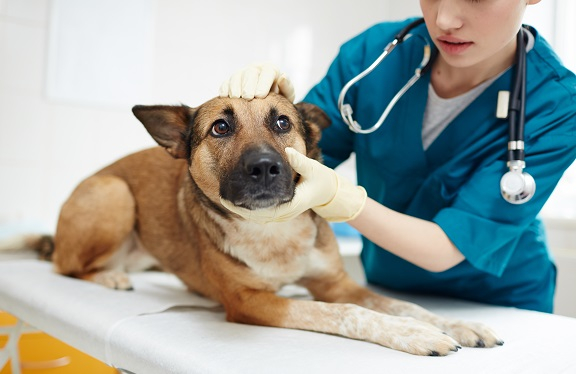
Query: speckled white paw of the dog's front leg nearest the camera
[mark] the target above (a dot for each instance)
(419, 338)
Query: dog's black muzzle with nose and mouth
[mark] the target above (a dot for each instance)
(260, 179)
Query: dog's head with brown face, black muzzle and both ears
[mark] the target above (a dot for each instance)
(235, 147)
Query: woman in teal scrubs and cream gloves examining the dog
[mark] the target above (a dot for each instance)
(430, 209)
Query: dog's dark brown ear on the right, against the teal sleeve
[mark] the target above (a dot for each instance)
(314, 120)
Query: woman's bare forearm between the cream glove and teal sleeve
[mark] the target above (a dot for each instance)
(420, 242)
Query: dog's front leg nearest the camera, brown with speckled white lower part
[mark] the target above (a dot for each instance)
(348, 320)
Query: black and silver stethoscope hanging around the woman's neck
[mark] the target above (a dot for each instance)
(516, 186)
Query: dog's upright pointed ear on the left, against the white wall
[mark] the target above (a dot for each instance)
(168, 125)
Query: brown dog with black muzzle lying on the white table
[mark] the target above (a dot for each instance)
(168, 205)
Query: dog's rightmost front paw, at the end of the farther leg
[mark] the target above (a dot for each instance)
(471, 334)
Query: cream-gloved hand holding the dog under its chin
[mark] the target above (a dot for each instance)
(320, 188)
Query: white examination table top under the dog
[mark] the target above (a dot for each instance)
(161, 328)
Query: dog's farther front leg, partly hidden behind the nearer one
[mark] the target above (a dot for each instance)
(340, 288)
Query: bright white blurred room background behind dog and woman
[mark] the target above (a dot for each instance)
(70, 71)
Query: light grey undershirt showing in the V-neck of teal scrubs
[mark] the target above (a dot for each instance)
(440, 112)
